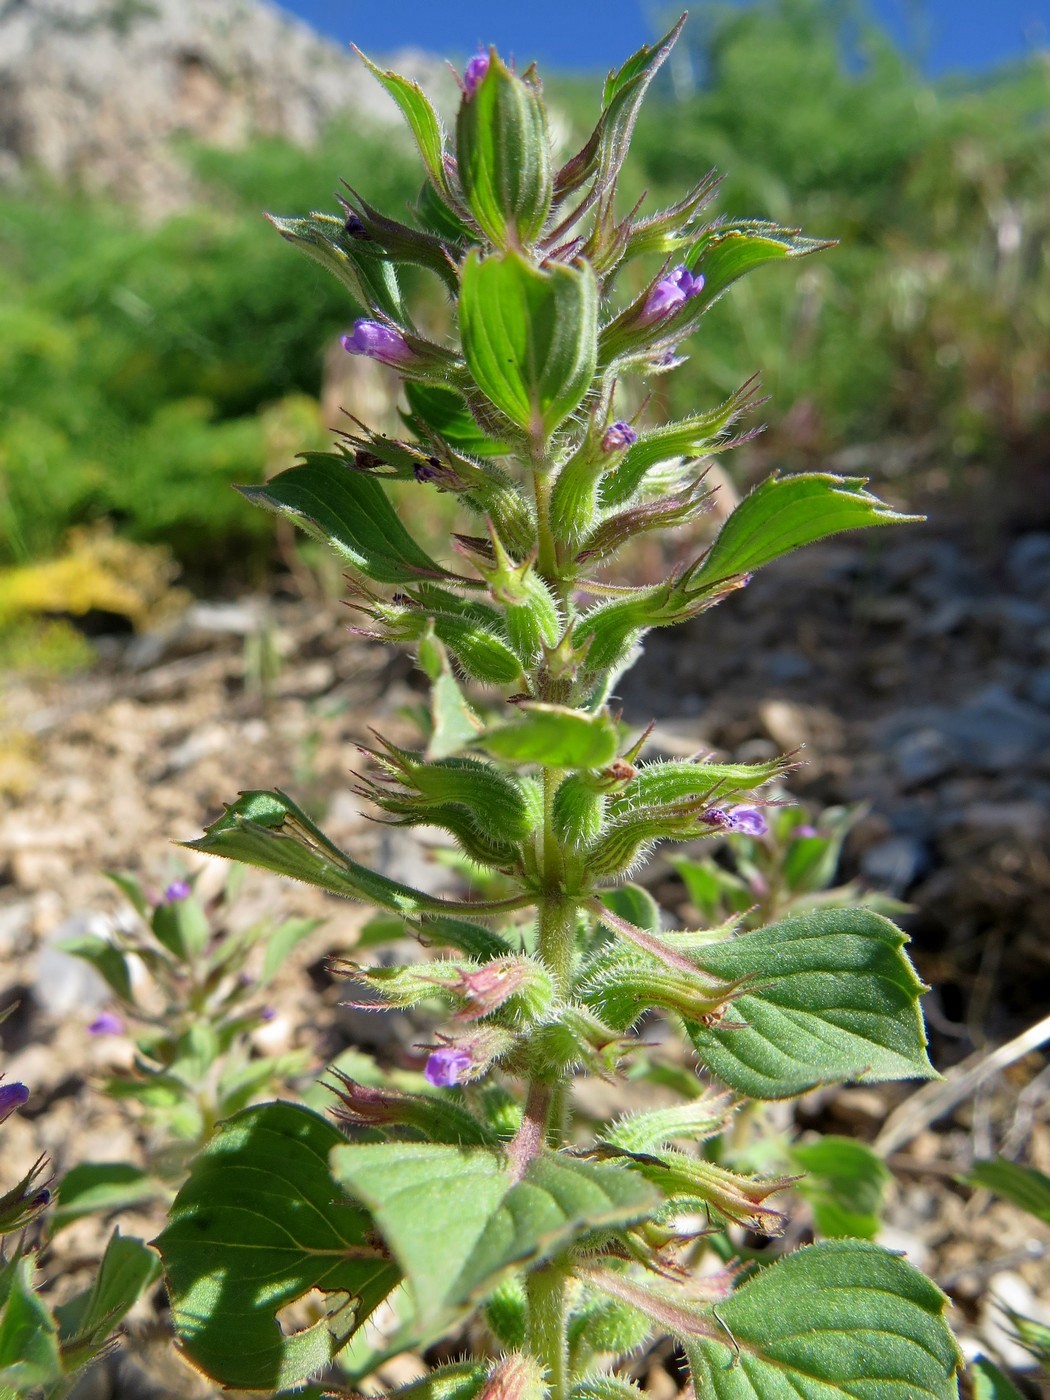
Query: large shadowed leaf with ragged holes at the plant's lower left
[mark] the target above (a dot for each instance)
(258, 1226)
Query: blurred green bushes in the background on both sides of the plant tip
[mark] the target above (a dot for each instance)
(143, 370)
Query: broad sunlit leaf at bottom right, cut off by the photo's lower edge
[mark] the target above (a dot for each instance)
(843, 1318)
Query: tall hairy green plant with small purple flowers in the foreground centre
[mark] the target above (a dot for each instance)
(458, 1182)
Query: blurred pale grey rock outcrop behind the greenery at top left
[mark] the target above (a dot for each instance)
(93, 92)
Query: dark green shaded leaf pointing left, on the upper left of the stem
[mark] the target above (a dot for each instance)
(351, 513)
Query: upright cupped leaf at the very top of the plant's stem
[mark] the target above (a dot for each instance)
(503, 155)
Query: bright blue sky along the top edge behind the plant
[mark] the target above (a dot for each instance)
(597, 34)
